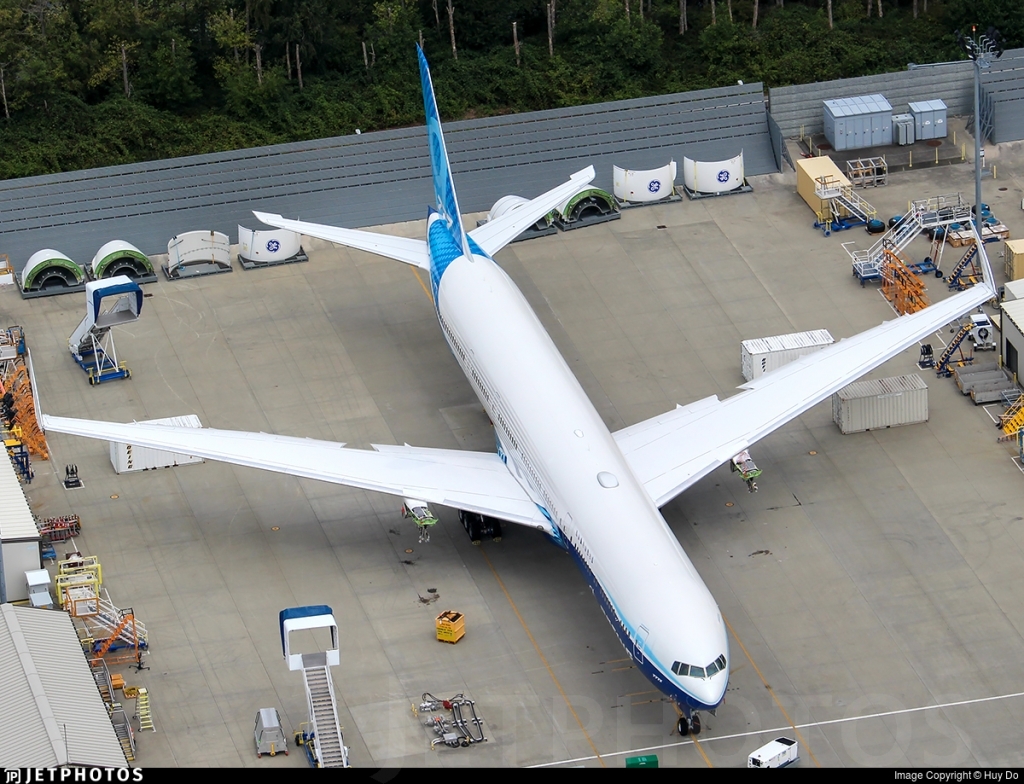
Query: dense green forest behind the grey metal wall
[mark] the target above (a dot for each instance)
(88, 83)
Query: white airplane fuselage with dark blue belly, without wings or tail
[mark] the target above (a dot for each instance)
(559, 449)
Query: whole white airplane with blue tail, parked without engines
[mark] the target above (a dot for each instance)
(558, 468)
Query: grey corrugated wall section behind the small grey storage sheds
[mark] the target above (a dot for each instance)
(800, 106)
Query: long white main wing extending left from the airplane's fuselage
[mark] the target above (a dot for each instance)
(472, 482)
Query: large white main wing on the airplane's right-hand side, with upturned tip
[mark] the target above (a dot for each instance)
(671, 452)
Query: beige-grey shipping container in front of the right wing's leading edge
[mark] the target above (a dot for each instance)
(881, 404)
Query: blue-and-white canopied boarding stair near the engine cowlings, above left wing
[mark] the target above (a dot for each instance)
(93, 342)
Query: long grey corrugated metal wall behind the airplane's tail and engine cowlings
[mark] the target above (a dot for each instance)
(377, 179)
